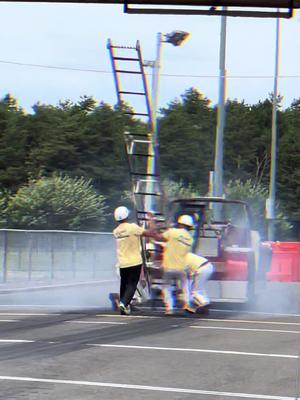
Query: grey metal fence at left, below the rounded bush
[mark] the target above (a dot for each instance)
(63, 255)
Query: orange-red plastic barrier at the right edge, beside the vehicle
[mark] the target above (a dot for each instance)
(285, 265)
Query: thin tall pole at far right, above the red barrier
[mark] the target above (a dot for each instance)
(273, 169)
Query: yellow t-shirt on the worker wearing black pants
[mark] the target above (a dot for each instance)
(128, 244)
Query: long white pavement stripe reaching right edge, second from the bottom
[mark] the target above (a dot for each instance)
(237, 353)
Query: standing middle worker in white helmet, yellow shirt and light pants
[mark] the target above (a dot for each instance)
(178, 242)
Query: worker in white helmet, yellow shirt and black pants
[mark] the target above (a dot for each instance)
(129, 256)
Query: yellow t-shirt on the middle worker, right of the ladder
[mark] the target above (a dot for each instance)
(179, 243)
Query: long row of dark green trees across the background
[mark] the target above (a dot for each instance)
(85, 139)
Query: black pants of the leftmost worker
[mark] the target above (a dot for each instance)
(129, 279)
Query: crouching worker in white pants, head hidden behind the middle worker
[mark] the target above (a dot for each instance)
(199, 271)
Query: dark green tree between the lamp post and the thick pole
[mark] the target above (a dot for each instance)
(187, 136)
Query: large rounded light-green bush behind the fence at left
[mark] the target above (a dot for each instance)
(57, 202)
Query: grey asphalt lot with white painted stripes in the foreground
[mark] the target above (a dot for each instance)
(49, 353)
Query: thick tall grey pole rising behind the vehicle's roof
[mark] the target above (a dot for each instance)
(218, 187)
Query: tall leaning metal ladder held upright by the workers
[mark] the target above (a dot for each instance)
(141, 148)
